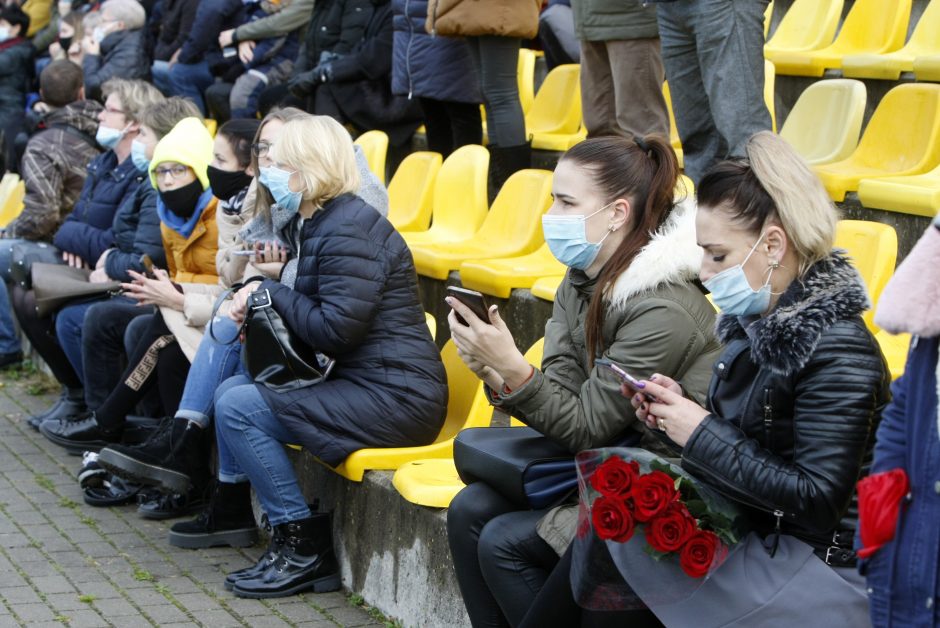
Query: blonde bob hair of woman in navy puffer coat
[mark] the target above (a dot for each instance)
(321, 151)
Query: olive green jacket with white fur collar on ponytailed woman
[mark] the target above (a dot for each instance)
(657, 321)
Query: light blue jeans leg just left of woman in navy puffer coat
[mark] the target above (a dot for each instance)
(214, 363)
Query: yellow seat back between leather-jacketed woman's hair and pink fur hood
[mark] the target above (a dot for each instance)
(873, 247)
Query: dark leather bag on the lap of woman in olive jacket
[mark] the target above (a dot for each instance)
(521, 464)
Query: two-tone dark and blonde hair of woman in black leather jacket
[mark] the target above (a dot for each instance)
(774, 184)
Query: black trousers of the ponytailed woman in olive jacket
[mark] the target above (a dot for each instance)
(500, 560)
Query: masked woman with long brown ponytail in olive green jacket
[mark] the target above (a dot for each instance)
(630, 296)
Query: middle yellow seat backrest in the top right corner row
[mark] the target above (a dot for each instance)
(874, 25)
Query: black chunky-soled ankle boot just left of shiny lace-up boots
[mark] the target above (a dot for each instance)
(228, 520)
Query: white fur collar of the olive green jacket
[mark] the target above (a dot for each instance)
(672, 256)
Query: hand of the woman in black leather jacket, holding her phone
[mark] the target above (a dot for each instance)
(664, 408)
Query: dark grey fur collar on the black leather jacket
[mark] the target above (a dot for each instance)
(784, 340)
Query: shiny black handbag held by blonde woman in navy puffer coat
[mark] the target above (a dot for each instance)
(273, 354)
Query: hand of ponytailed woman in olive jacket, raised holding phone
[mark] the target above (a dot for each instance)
(487, 349)
